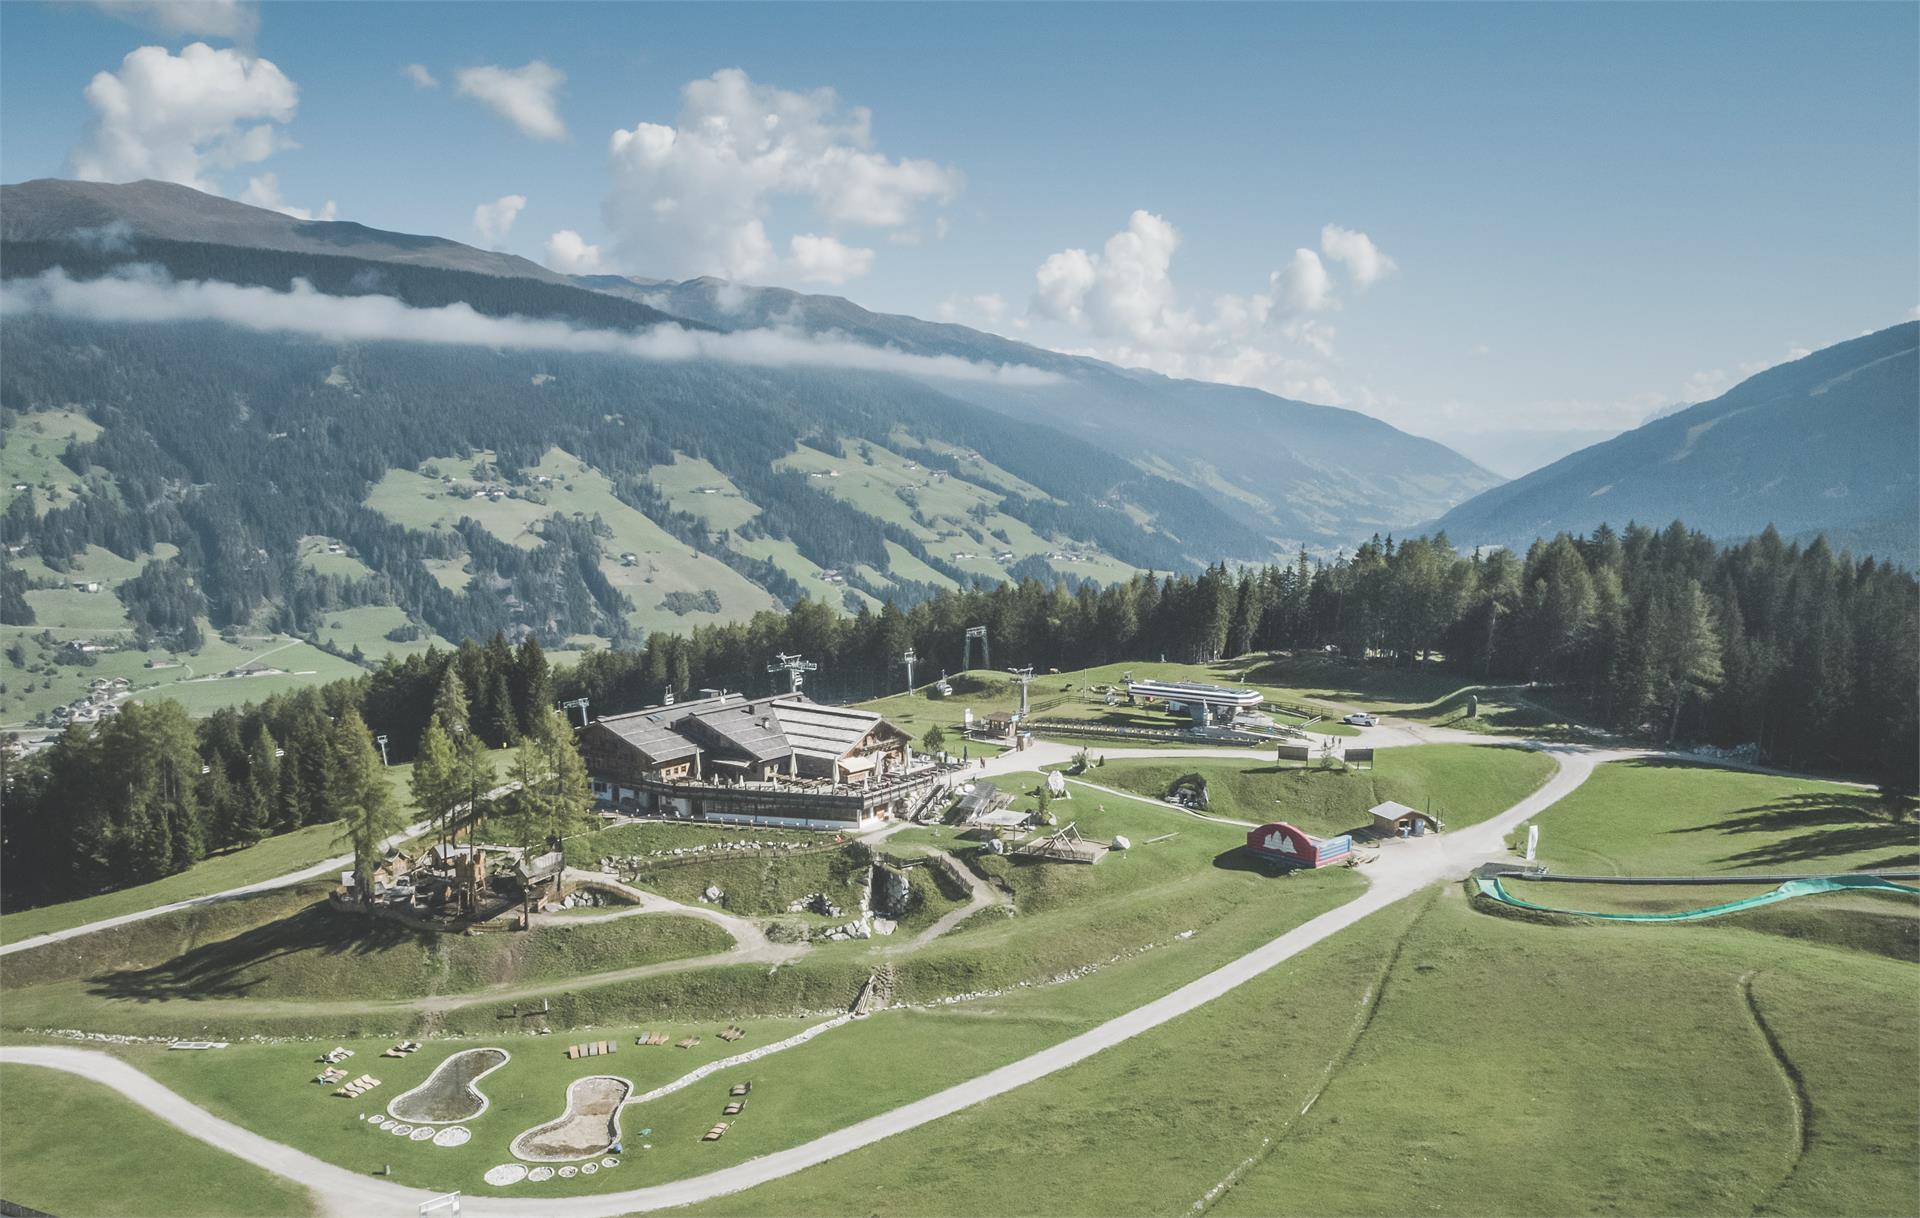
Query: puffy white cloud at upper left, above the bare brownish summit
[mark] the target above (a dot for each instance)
(181, 118)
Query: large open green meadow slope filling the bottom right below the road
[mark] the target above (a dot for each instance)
(1625, 1073)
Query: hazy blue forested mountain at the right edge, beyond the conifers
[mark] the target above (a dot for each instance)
(1821, 445)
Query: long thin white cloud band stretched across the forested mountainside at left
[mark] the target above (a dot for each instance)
(149, 299)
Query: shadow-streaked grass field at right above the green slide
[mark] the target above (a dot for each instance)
(1677, 819)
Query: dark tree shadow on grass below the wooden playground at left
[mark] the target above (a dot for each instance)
(239, 965)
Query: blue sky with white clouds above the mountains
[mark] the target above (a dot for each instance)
(1458, 218)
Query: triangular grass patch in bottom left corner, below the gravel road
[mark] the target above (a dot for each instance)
(76, 1148)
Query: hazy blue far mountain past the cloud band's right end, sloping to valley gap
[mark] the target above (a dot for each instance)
(1301, 474)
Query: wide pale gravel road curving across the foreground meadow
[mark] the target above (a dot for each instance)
(1397, 875)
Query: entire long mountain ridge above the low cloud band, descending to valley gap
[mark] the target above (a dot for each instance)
(1297, 474)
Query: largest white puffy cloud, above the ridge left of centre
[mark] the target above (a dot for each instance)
(696, 197)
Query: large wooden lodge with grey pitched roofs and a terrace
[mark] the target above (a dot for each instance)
(777, 762)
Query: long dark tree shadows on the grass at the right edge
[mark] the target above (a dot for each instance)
(1819, 827)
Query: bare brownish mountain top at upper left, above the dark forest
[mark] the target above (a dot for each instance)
(105, 214)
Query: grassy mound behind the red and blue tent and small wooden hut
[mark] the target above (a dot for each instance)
(1462, 785)
